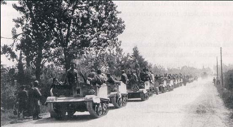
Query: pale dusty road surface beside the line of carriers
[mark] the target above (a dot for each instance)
(196, 105)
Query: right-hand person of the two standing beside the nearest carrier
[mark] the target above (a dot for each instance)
(36, 100)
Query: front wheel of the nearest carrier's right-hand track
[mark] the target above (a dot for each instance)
(95, 110)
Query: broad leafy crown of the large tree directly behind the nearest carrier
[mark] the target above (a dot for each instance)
(84, 27)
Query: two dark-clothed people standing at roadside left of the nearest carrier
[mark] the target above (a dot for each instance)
(28, 101)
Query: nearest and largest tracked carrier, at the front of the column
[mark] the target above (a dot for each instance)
(81, 98)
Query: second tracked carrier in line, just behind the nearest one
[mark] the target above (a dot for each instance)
(118, 94)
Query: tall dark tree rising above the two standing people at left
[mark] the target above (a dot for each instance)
(35, 23)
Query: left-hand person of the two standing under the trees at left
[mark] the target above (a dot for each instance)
(22, 102)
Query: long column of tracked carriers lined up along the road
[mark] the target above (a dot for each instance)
(66, 100)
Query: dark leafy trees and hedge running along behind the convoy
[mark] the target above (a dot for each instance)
(50, 34)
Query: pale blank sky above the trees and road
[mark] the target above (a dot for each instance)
(170, 34)
